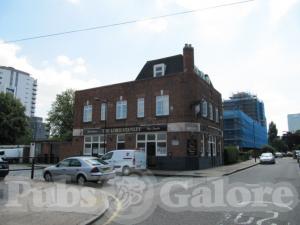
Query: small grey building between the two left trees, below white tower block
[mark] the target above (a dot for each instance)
(39, 130)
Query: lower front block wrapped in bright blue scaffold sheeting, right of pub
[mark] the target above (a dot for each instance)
(242, 131)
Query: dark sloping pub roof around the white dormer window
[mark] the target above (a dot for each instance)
(174, 64)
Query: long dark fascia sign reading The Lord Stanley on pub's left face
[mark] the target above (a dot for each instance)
(116, 130)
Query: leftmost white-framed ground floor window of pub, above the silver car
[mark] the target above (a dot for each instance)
(94, 145)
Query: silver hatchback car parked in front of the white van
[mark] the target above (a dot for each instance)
(80, 169)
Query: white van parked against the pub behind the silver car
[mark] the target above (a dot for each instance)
(126, 161)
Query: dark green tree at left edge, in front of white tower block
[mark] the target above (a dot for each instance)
(13, 122)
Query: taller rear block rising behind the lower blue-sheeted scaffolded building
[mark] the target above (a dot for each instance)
(248, 104)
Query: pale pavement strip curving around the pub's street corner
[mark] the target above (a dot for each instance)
(211, 172)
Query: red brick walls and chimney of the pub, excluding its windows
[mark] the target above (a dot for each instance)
(183, 126)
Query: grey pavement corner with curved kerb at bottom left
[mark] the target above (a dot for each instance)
(57, 203)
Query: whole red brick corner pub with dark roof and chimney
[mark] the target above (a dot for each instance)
(171, 111)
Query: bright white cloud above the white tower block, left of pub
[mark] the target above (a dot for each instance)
(52, 78)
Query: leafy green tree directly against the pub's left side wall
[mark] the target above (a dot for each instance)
(60, 117)
